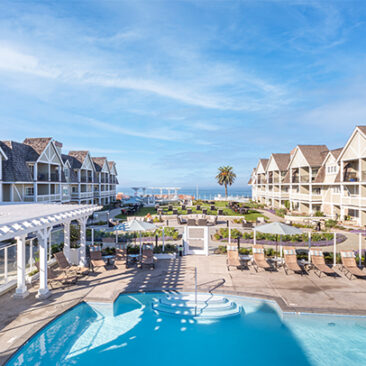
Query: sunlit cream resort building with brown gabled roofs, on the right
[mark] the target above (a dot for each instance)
(313, 178)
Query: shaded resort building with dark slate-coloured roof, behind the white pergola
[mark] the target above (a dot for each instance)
(35, 170)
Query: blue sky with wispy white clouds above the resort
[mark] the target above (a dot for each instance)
(172, 90)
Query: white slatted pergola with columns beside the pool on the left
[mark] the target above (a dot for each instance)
(19, 220)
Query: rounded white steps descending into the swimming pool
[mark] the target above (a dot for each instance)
(206, 306)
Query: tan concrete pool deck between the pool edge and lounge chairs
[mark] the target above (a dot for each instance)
(21, 318)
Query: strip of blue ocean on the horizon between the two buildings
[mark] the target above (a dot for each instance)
(203, 192)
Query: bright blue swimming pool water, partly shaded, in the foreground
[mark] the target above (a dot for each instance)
(129, 332)
